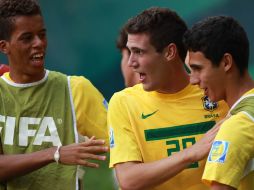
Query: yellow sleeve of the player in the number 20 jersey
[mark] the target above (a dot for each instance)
(123, 144)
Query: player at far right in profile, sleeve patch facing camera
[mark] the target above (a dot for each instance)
(218, 56)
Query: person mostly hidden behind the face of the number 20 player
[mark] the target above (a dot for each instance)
(130, 77)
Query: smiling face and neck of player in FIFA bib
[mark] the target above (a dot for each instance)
(26, 48)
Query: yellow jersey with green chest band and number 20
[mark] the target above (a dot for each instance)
(148, 126)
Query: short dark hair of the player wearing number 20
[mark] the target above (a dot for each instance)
(162, 25)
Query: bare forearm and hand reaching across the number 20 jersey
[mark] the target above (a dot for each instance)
(136, 175)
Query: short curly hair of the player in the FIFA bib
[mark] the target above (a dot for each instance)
(9, 9)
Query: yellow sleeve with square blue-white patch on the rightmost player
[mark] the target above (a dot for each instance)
(231, 151)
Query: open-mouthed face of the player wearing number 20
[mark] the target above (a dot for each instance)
(151, 65)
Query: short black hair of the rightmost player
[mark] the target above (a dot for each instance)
(215, 36)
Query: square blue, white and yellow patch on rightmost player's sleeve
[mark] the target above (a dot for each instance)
(218, 152)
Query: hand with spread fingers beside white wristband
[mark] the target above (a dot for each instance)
(81, 153)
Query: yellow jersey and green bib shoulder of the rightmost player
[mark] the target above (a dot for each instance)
(230, 160)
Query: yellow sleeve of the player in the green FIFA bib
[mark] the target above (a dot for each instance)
(90, 108)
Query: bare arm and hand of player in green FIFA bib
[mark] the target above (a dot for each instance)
(74, 154)
